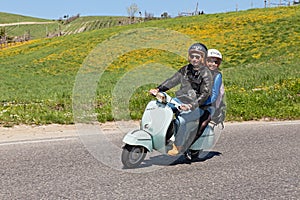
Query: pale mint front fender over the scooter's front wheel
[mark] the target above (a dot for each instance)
(139, 138)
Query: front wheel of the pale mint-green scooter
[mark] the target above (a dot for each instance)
(133, 156)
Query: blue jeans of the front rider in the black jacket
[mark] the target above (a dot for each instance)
(184, 118)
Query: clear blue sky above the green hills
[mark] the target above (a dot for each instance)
(55, 9)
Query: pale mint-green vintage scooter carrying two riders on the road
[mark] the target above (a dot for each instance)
(157, 130)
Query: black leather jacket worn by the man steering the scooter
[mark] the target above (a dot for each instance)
(195, 86)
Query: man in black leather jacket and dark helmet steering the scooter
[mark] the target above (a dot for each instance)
(195, 81)
